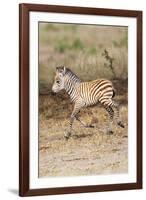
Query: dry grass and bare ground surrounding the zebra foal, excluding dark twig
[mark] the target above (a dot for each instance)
(88, 151)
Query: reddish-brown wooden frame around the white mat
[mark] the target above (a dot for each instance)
(24, 69)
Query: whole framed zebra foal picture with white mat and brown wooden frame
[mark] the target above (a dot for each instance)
(80, 99)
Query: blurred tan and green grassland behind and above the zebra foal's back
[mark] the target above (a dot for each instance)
(90, 51)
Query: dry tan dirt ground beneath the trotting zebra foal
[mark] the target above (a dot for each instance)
(90, 151)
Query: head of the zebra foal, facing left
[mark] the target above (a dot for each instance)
(59, 79)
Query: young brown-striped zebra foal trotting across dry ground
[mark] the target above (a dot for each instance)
(86, 94)
